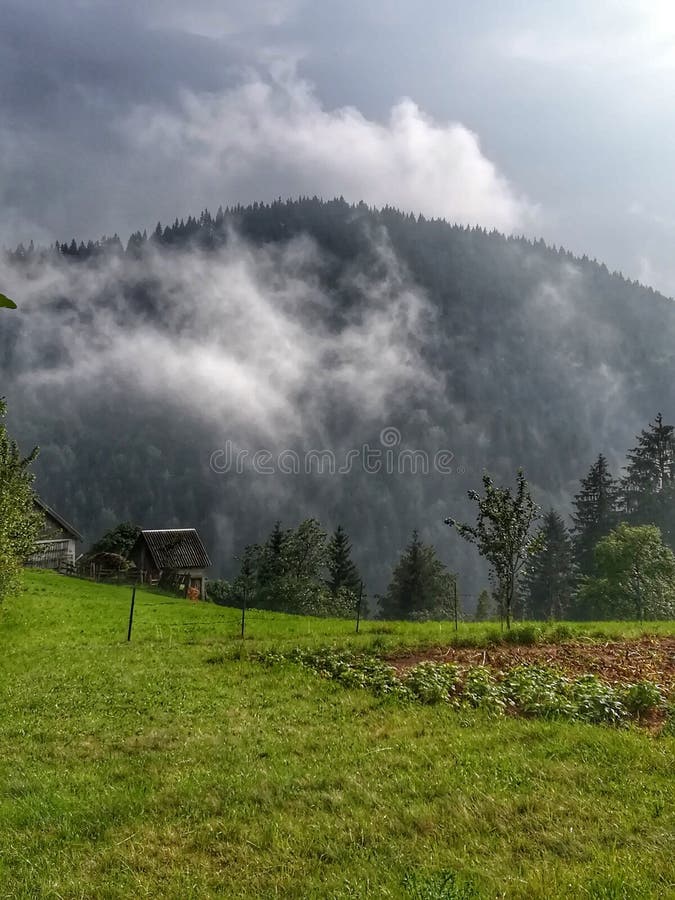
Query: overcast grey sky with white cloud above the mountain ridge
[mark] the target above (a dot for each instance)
(554, 120)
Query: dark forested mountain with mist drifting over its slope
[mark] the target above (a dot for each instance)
(320, 326)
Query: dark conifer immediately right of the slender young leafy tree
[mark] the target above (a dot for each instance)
(549, 581)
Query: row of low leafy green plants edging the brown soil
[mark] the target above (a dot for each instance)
(529, 690)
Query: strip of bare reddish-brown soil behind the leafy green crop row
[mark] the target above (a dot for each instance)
(616, 662)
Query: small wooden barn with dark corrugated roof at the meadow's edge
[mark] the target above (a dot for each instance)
(173, 556)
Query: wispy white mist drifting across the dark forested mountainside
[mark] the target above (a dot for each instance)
(241, 339)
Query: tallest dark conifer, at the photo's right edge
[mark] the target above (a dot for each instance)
(649, 483)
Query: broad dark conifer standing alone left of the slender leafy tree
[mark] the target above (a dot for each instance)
(420, 587)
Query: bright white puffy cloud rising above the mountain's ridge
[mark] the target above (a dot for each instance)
(276, 133)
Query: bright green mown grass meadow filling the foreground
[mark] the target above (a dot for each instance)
(140, 769)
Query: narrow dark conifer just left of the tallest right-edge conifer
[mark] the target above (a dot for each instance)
(595, 513)
